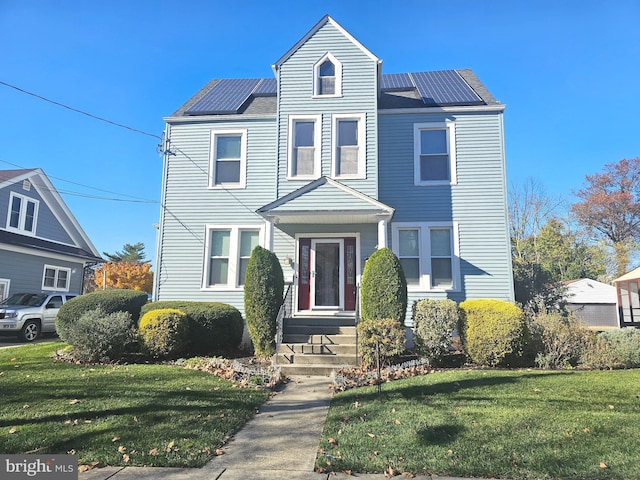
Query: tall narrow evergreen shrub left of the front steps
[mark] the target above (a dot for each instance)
(263, 291)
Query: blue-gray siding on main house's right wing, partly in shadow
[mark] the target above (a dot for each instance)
(477, 202)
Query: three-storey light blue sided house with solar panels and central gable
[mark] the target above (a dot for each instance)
(325, 162)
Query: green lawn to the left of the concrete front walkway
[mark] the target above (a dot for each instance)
(116, 414)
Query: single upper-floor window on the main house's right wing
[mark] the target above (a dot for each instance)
(434, 153)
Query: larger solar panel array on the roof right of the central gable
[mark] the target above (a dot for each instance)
(444, 87)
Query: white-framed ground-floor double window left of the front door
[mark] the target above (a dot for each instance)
(227, 255)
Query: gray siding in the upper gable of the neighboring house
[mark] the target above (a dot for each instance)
(47, 227)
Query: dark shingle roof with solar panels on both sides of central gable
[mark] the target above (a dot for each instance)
(398, 90)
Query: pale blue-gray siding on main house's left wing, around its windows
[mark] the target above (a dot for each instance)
(189, 205)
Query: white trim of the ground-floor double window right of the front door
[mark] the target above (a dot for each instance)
(425, 253)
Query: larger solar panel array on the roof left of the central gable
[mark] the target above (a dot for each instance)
(226, 96)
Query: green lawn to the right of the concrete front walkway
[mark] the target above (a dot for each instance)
(503, 424)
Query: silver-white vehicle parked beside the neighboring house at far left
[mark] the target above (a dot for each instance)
(27, 315)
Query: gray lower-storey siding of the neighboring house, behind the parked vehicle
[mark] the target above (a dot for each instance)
(26, 271)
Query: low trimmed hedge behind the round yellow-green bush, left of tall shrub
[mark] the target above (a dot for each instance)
(212, 325)
